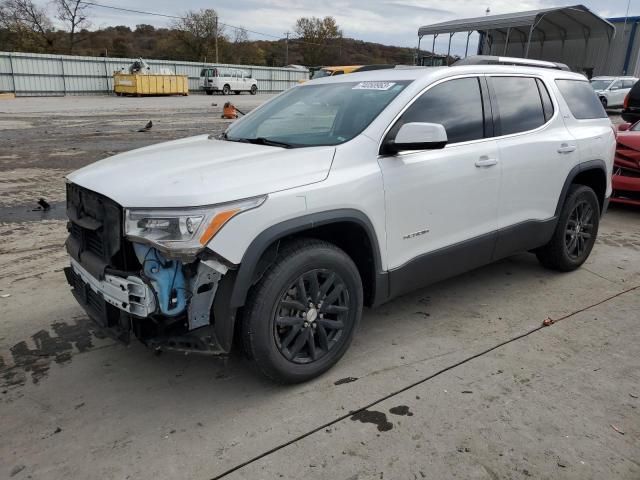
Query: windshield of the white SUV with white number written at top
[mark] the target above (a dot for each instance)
(312, 115)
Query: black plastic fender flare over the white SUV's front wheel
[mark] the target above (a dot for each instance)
(268, 238)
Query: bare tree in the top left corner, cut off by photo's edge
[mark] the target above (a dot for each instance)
(27, 21)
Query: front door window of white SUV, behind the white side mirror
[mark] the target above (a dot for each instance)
(455, 104)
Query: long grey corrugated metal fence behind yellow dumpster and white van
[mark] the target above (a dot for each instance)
(31, 74)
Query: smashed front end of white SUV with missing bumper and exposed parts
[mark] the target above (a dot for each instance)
(147, 273)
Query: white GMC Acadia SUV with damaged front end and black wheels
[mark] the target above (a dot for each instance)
(338, 193)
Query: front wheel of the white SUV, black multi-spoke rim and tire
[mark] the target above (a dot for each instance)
(301, 316)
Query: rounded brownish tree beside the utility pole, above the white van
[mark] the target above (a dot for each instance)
(200, 31)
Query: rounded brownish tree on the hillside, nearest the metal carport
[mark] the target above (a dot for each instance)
(316, 35)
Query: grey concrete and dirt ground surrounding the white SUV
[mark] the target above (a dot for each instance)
(457, 380)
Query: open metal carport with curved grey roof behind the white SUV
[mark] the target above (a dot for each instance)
(516, 32)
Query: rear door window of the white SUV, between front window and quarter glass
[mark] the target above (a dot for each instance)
(518, 103)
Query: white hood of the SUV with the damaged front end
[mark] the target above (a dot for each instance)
(200, 170)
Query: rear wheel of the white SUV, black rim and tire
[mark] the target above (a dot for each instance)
(575, 232)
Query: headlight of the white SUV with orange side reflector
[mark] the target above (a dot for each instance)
(182, 231)
